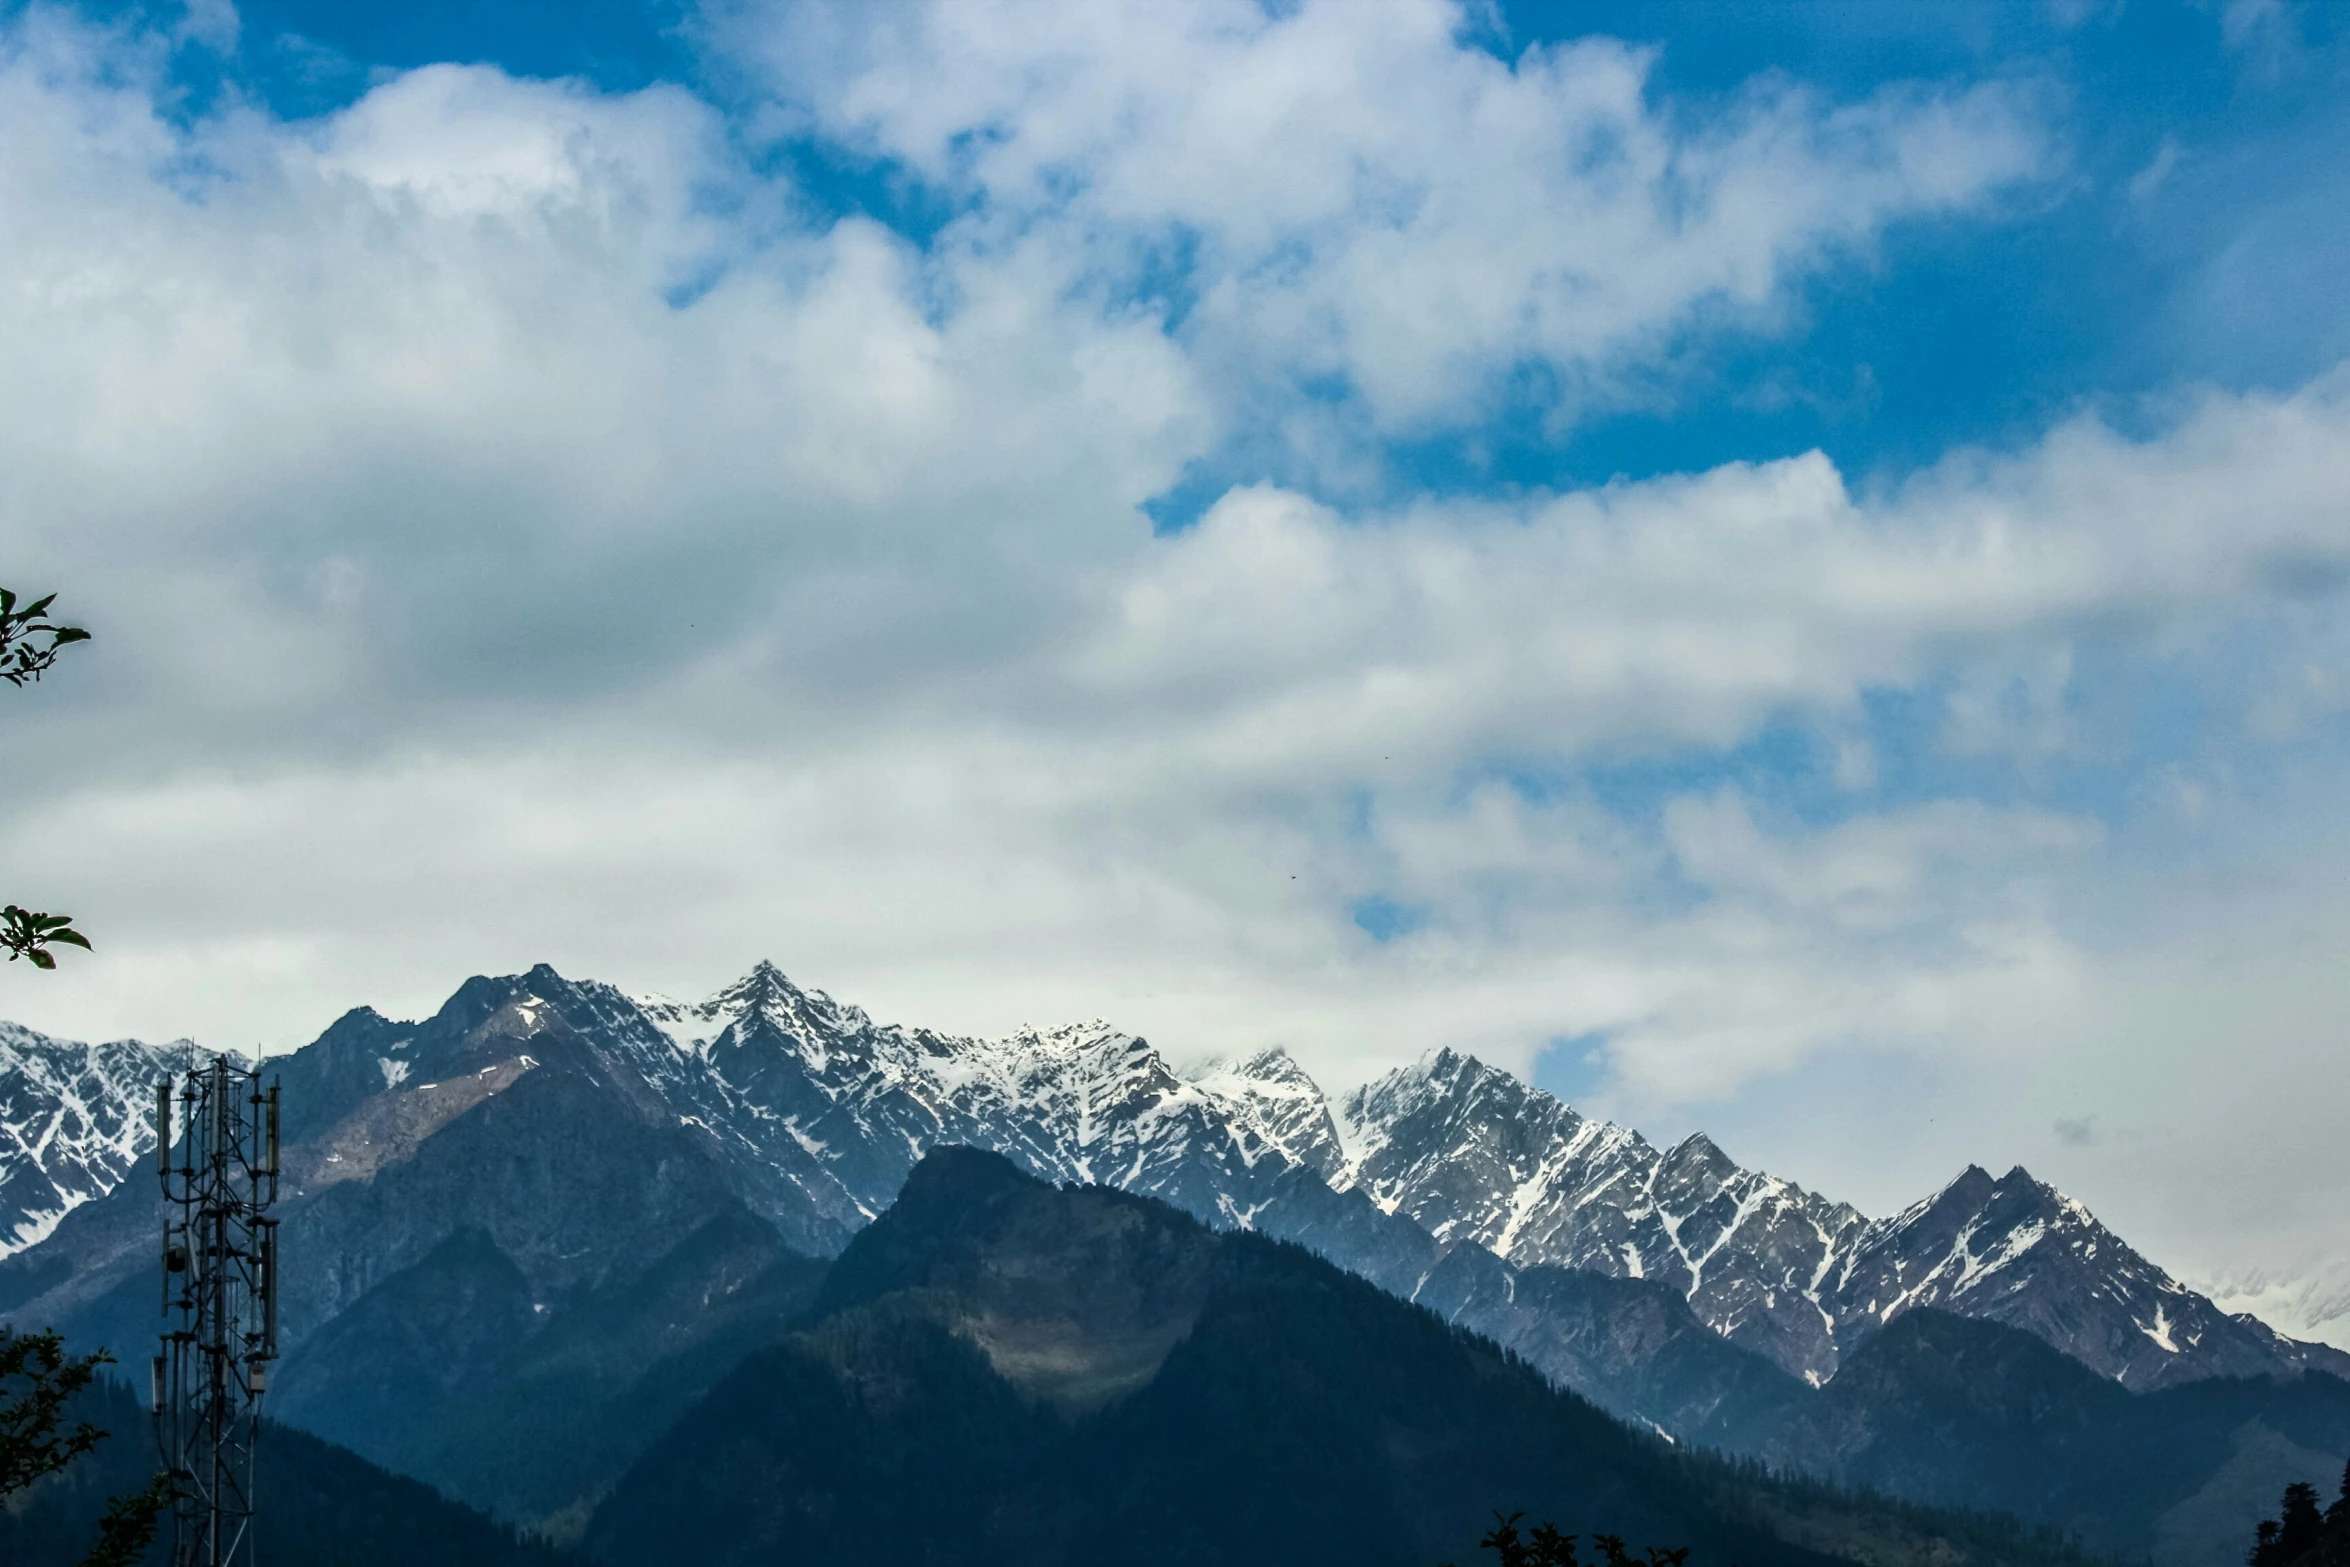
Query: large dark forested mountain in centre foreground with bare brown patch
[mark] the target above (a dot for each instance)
(1000, 1371)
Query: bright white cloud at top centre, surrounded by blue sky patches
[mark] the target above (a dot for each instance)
(1367, 194)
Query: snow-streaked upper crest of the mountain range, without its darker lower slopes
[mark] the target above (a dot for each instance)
(814, 1115)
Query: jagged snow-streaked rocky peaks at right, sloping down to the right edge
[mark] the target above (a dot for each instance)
(1472, 1155)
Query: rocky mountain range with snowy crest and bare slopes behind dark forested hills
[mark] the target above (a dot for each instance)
(584, 1134)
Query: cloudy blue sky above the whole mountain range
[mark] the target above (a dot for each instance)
(1778, 570)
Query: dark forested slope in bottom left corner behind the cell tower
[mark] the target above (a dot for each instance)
(323, 1507)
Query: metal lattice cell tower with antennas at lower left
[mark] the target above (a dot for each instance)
(220, 1289)
